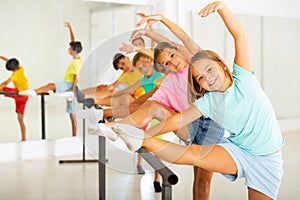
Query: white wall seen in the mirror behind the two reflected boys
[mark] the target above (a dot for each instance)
(34, 32)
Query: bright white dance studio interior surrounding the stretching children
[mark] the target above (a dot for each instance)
(53, 164)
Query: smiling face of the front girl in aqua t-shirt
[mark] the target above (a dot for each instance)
(210, 75)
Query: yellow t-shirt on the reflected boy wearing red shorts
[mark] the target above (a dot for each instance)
(19, 79)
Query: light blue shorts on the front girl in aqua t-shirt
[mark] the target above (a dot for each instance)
(261, 172)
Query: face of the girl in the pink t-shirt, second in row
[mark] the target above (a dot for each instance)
(170, 59)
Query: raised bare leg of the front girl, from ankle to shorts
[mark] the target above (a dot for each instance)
(210, 157)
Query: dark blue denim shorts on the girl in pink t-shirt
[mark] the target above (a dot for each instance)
(205, 131)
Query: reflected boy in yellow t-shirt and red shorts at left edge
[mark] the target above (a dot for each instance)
(20, 82)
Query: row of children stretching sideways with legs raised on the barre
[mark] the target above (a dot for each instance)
(198, 98)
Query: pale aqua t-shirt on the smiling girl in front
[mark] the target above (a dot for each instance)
(246, 112)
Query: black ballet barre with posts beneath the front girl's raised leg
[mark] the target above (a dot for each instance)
(168, 177)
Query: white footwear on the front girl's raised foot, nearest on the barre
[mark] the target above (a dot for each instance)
(132, 136)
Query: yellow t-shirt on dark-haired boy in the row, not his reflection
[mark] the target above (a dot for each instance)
(130, 78)
